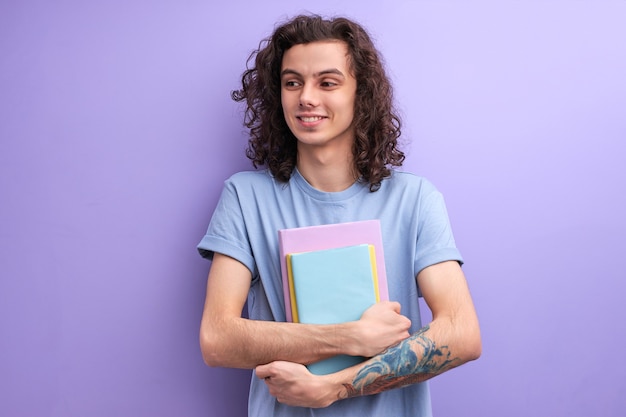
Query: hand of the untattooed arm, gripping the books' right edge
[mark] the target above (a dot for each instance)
(380, 327)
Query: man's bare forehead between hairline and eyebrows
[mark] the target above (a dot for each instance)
(317, 56)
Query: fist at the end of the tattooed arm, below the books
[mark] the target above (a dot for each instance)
(292, 384)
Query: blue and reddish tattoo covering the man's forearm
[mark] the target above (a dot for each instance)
(399, 365)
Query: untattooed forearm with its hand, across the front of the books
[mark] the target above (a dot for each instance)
(232, 341)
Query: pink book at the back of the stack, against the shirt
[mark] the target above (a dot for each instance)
(329, 236)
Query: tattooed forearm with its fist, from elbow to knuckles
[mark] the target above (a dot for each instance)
(413, 360)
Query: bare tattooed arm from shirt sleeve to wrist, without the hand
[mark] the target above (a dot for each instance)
(450, 340)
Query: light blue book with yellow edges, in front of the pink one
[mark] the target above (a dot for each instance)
(333, 286)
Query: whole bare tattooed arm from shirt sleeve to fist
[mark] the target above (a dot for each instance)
(451, 339)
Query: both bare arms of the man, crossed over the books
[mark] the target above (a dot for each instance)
(279, 351)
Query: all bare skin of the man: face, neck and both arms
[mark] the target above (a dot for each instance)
(318, 93)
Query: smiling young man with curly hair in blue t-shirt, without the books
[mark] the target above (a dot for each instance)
(319, 109)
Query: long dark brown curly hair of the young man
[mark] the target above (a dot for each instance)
(376, 124)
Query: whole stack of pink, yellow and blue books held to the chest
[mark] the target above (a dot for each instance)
(332, 274)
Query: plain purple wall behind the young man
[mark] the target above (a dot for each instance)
(116, 132)
